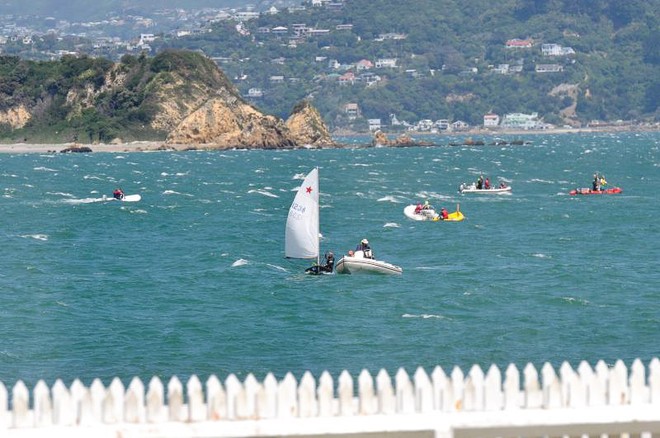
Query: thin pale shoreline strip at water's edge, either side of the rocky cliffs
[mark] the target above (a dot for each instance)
(156, 146)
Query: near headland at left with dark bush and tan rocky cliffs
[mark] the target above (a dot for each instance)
(181, 97)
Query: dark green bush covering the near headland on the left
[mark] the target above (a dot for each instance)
(74, 99)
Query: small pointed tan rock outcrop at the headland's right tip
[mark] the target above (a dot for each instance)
(307, 127)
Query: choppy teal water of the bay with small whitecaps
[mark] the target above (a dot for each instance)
(193, 279)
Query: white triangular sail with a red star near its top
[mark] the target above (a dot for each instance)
(301, 237)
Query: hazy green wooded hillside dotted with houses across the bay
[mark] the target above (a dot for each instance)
(616, 65)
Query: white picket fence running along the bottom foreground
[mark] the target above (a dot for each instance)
(586, 402)
